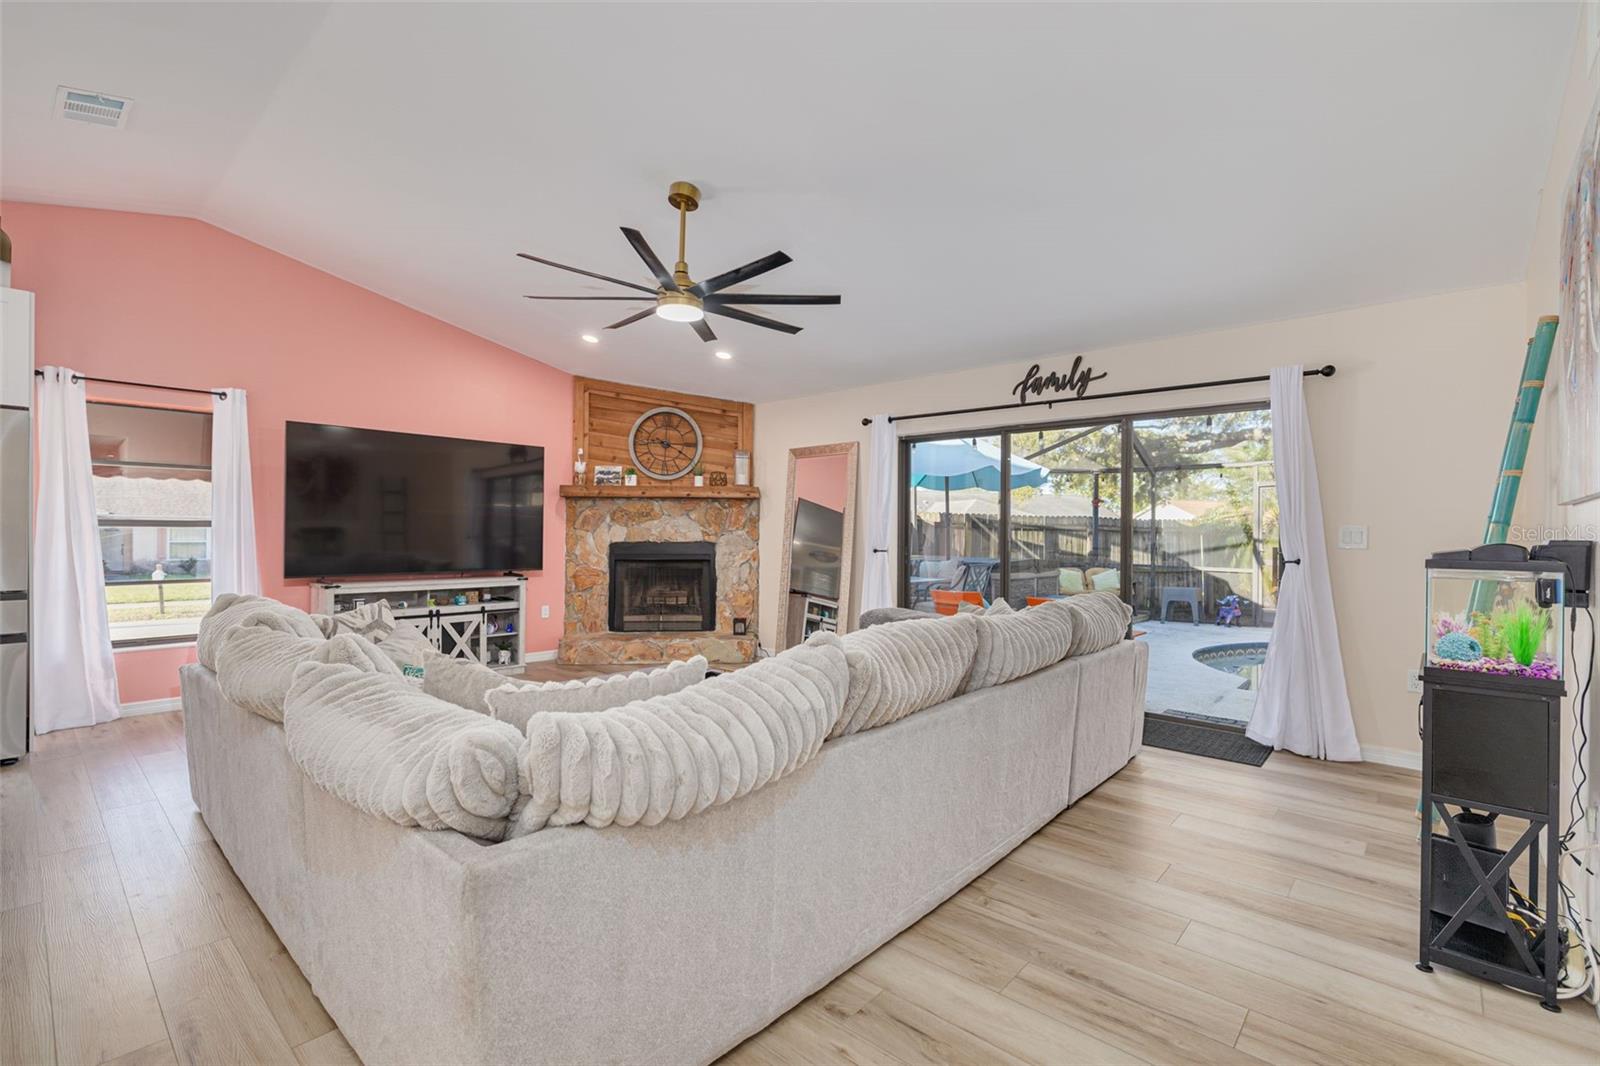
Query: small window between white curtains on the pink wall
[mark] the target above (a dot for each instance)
(153, 497)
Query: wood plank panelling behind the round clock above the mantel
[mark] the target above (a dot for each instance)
(604, 414)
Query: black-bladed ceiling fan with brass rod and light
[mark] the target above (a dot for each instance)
(679, 299)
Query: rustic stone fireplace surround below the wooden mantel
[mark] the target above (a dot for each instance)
(658, 579)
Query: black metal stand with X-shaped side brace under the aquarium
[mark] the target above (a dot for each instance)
(1490, 745)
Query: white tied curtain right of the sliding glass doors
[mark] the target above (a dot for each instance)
(1303, 705)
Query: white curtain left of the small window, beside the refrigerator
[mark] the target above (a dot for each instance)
(74, 670)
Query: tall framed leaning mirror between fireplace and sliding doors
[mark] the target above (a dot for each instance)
(820, 532)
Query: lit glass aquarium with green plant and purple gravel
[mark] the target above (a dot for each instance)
(1497, 622)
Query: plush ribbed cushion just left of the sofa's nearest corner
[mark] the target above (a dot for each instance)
(398, 753)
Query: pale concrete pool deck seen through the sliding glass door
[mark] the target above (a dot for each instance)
(1183, 686)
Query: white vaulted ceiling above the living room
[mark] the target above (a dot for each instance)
(982, 183)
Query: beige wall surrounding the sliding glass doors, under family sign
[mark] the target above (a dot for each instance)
(1409, 439)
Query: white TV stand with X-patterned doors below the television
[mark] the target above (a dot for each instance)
(465, 631)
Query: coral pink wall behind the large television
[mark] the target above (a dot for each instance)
(177, 302)
